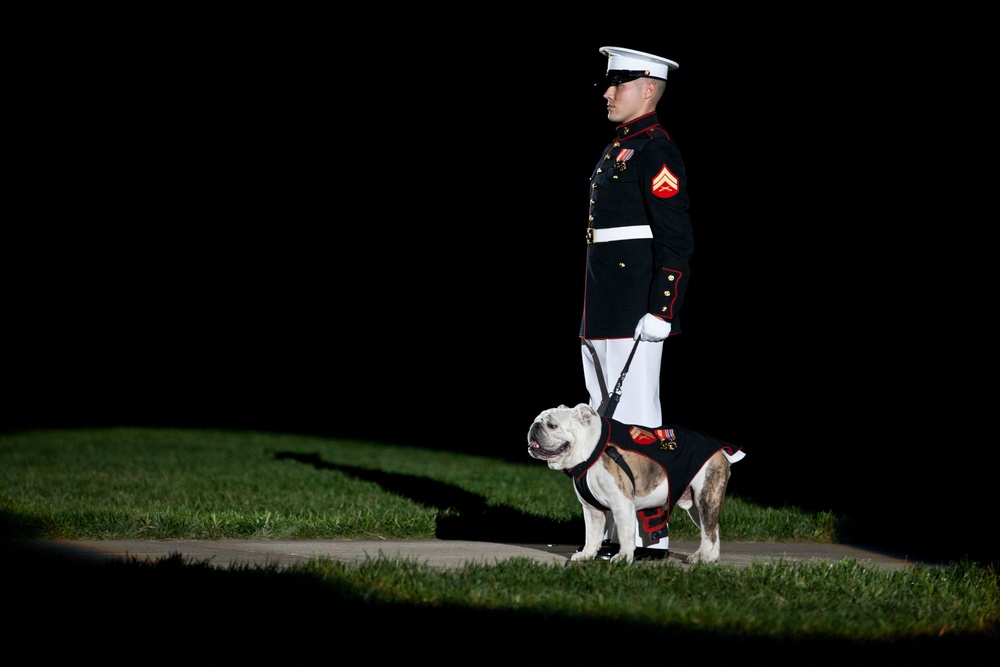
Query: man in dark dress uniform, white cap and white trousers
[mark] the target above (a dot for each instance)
(639, 242)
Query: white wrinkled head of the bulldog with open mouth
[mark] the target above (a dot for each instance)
(561, 435)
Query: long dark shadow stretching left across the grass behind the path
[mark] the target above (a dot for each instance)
(469, 518)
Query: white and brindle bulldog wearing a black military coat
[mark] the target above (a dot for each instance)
(629, 470)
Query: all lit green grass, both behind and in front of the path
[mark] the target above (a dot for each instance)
(134, 483)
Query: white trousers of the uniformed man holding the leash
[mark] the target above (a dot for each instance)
(639, 402)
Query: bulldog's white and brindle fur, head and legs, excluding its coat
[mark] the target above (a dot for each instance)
(565, 437)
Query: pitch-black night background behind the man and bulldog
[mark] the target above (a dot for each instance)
(301, 226)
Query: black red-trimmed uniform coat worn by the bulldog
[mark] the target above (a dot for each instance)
(680, 452)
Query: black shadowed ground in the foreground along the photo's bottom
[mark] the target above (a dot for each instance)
(62, 608)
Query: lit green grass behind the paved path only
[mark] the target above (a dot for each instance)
(191, 484)
